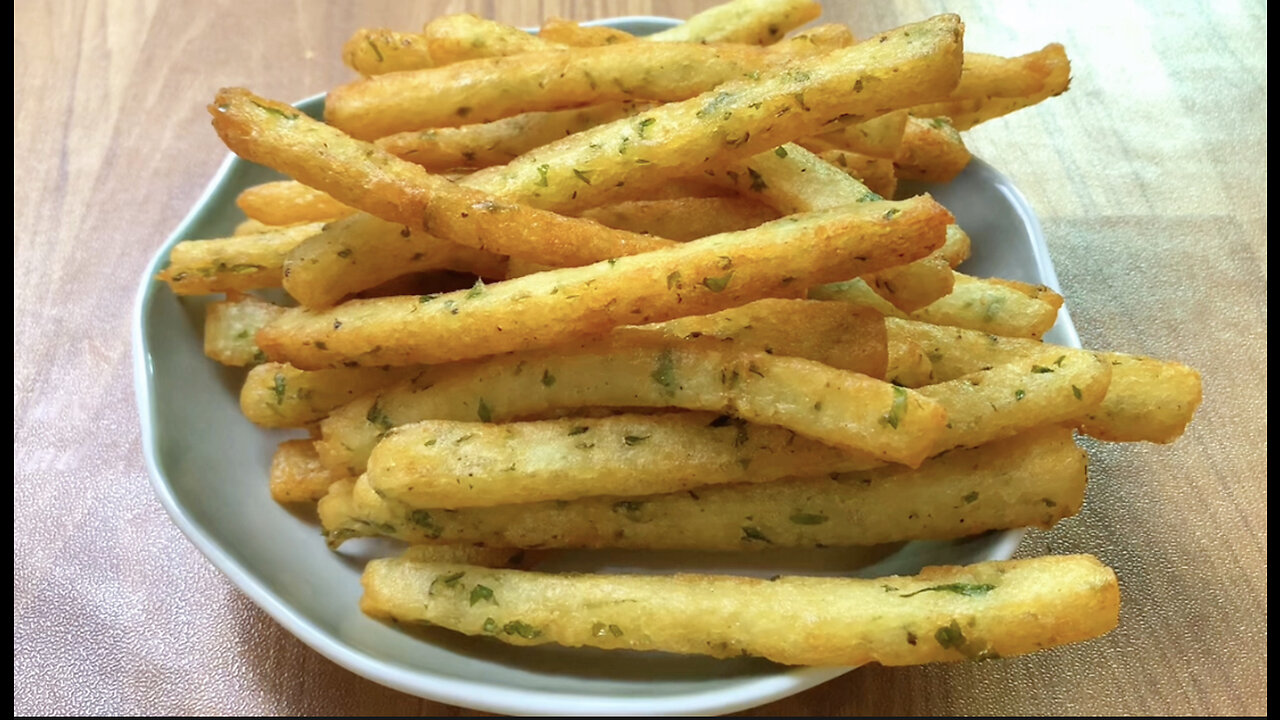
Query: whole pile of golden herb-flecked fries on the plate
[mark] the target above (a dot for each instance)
(586, 290)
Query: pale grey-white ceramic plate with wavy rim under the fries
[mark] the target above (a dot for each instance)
(209, 468)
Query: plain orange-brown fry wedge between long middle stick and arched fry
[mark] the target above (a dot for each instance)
(835, 335)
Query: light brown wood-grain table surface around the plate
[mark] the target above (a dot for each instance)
(1150, 177)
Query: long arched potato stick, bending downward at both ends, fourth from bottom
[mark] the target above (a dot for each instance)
(842, 408)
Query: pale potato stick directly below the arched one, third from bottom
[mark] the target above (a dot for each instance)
(431, 466)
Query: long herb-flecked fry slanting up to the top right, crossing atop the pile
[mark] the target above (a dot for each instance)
(738, 120)
